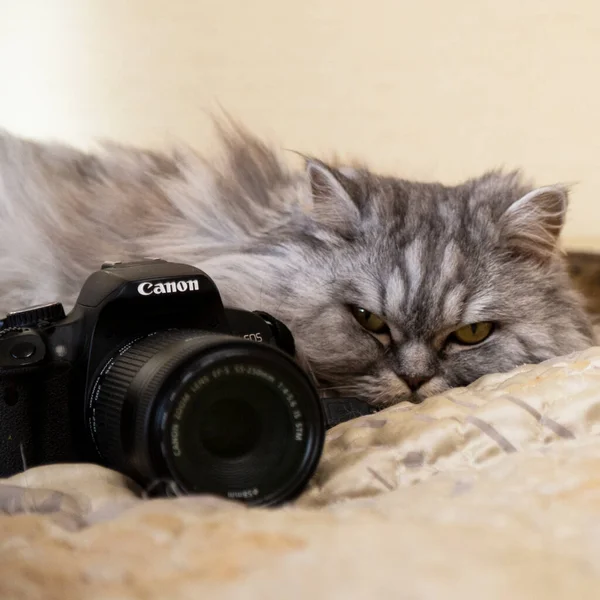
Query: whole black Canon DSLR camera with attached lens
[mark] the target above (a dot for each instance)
(151, 375)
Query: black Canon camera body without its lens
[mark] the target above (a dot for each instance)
(51, 361)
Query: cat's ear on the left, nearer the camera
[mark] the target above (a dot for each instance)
(332, 206)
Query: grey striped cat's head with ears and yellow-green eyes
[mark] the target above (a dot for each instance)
(402, 290)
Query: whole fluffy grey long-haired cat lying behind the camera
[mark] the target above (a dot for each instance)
(395, 290)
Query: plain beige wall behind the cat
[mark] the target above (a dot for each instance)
(430, 89)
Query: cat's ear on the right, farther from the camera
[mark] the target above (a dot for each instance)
(532, 224)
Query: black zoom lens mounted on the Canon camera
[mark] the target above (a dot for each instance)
(208, 413)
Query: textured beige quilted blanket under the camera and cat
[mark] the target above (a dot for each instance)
(490, 491)
